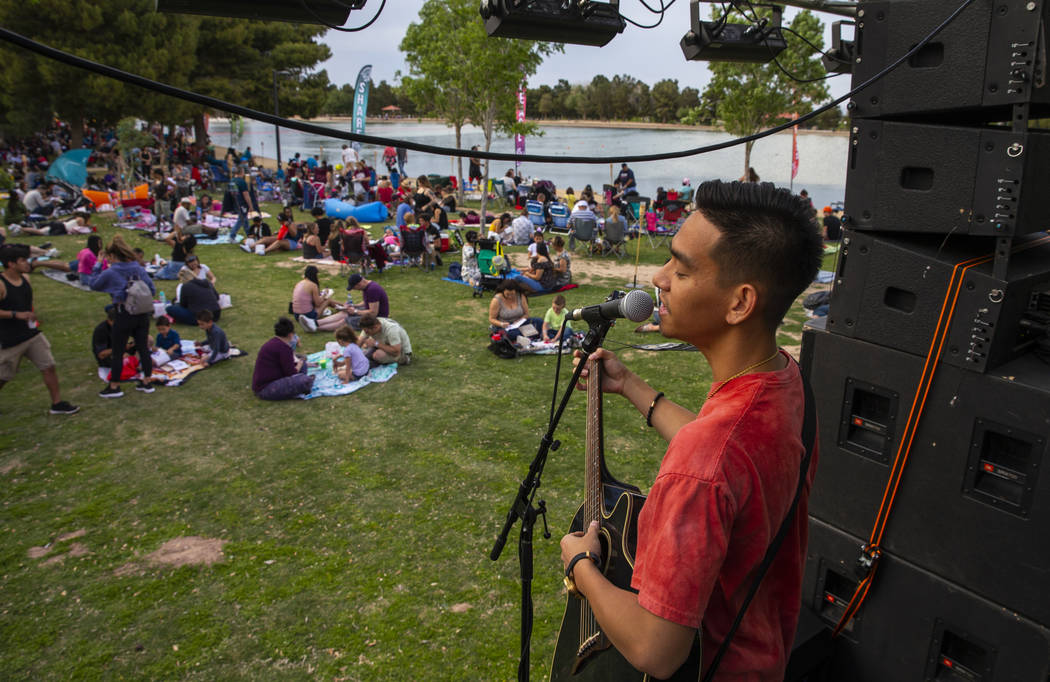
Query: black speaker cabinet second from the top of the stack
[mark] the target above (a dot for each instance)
(916, 178)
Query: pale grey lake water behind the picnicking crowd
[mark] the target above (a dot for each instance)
(823, 157)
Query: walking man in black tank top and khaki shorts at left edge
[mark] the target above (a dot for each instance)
(19, 336)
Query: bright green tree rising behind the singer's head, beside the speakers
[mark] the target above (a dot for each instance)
(752, 97)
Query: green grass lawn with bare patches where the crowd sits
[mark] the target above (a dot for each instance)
(356, 529)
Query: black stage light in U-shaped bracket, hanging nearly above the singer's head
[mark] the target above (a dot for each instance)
(721, 41)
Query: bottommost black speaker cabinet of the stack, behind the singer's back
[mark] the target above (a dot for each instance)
(916, 626)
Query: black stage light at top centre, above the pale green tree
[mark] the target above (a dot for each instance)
(580, 23)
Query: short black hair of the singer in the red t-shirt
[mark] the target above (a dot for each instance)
(769, 238)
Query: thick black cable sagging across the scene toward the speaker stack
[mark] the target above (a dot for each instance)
(215, 103)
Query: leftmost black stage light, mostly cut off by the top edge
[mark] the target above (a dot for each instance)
(316, 12)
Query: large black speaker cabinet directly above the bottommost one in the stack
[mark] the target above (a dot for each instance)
(974, 505)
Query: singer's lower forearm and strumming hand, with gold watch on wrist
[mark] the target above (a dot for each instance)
(650, 644)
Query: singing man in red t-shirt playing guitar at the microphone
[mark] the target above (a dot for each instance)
(730, 473)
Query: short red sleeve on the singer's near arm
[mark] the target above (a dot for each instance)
(686, 524)
